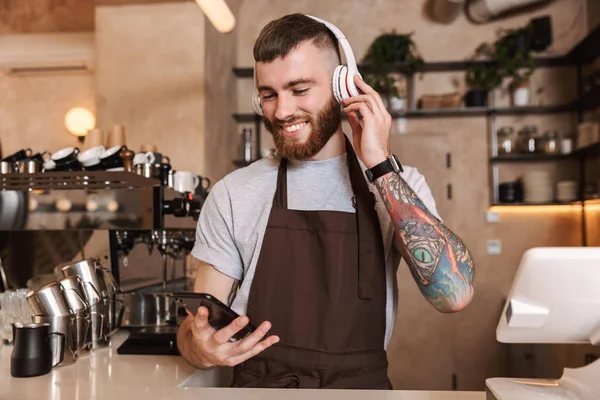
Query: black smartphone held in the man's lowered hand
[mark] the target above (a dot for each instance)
(219, 314)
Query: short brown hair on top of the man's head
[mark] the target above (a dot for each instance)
(282, 35)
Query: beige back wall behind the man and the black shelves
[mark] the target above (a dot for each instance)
(427, 347)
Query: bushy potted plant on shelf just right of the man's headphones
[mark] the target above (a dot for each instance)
(387, 53)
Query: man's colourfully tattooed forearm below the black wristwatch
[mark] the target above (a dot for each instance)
(438, 260)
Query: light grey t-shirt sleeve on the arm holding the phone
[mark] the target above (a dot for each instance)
(215, 243)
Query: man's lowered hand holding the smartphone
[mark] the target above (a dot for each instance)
(213, 348)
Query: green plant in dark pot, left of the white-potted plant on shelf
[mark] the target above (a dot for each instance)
(482, 77)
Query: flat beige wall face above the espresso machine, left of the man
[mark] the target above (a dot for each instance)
(150, 78)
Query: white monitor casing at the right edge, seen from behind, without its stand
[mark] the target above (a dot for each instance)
(555, 298)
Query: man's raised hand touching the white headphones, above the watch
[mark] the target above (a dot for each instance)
(371, 138)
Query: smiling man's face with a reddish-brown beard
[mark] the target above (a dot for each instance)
(298, 104)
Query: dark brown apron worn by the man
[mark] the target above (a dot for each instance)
(320, 281)
